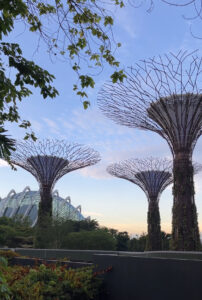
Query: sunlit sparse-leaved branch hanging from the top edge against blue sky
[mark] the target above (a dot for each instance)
(77, 31)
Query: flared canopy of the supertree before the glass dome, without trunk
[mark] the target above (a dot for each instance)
(53, 158)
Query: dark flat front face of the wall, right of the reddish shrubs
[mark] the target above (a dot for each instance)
(139, 278)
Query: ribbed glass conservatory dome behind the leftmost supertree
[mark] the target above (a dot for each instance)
(26, 204)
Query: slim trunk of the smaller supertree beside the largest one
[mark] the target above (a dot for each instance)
(154, 228)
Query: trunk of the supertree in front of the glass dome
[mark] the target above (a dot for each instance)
(43, 237)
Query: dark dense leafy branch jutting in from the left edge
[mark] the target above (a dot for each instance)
(26, 73)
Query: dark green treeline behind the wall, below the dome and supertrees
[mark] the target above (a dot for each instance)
(68, 234)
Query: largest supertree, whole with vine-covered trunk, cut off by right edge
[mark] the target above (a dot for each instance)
(163, 95)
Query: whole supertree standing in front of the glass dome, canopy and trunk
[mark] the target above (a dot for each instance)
(48, 161)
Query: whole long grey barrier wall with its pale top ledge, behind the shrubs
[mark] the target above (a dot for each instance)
(139, 276)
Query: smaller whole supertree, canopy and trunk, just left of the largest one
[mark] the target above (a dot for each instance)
(152, 175)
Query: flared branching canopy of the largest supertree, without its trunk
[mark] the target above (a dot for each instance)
(168, 84)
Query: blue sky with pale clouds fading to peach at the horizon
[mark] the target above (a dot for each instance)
(113, 202)
